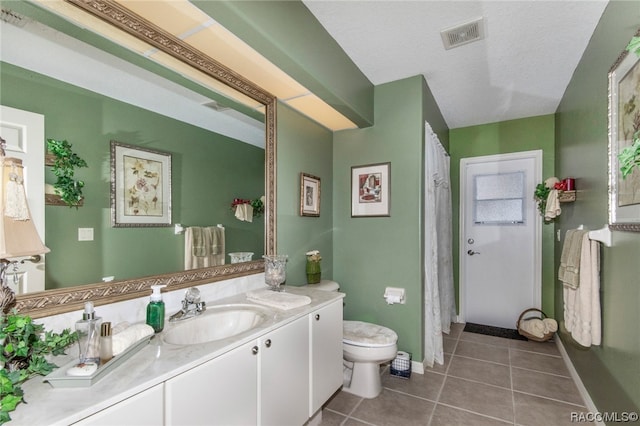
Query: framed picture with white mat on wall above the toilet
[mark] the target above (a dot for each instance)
(371, 190)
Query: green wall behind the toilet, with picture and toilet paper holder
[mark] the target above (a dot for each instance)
(372, 253)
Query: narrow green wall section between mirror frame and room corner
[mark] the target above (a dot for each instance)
(303, 147)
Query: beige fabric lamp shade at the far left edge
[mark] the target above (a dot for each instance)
(18, 234)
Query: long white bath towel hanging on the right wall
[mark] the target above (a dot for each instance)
(582, 316)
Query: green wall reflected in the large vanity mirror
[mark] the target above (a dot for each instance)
(208, 171)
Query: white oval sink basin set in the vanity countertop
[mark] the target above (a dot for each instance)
(216, 323)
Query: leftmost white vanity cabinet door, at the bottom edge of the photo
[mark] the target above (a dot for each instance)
(145, 408)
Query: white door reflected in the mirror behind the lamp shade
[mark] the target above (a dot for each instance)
(24, 133)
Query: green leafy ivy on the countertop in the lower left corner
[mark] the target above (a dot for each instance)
(23, 349)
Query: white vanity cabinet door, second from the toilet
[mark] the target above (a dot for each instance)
(284, 375)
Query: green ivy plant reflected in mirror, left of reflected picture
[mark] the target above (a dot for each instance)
(63, 167)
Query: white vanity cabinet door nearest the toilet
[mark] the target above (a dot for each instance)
(326, 354)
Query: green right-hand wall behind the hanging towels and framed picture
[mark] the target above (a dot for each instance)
(610, 372)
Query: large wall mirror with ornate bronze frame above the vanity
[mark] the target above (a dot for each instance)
(222, 156)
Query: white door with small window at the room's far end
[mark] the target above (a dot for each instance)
(500, 238)
